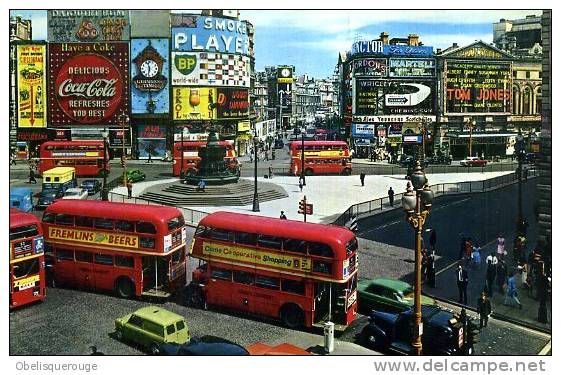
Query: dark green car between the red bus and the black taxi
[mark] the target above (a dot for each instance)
(387, 295)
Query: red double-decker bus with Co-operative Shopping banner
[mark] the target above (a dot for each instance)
(301, 273)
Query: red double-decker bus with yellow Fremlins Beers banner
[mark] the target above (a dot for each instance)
(131, 249)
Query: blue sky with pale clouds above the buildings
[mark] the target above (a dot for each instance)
(311, 39)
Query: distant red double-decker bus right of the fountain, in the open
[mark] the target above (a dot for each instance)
(320, 157)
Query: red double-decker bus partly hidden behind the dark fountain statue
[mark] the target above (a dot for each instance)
(191, 158)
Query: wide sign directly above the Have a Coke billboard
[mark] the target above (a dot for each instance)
(87, 25)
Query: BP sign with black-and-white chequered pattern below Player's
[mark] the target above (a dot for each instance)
(210, 69)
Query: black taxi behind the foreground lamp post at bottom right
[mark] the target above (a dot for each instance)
(443, 332)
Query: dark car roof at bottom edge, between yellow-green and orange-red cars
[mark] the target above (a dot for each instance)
(204, 345)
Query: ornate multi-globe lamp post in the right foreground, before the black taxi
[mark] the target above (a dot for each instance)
(416, 203)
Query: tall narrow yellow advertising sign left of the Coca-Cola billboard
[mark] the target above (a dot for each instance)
(31, 98)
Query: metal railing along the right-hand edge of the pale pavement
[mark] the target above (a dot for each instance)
(361, 210)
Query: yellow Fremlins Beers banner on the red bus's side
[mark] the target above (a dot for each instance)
(94, 237)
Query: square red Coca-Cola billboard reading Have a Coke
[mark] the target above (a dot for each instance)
(88, 83)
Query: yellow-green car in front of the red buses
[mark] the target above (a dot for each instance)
(152, 326)
